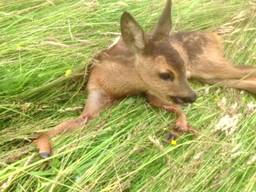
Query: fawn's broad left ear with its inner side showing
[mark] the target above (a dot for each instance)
(132, 33)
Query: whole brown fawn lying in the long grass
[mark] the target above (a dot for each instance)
(158, 65)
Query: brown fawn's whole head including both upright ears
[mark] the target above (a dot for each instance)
(158, 64)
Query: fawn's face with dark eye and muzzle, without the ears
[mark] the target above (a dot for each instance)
(163, 71)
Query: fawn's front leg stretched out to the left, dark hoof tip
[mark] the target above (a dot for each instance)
(97, 100)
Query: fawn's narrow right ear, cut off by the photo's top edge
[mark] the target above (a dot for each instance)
(164, 24)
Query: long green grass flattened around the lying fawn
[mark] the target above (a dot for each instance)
(123, 149)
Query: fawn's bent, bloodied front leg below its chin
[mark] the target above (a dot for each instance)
(181, 122)
